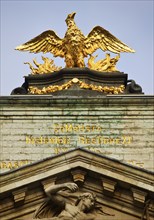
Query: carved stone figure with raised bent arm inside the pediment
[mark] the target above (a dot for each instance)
(63, 204)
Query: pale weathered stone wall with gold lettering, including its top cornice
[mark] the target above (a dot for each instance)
(36, 127)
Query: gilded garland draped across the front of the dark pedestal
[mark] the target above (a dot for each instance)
(82, 85)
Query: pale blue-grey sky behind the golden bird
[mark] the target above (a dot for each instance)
(130, 21)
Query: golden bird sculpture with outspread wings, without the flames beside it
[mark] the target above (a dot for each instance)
(74, 47)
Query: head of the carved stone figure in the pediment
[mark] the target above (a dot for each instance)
(88, 200)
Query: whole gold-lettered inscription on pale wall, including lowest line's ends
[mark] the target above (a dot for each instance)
(65, 136)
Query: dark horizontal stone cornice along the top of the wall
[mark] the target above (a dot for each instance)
(107, 100)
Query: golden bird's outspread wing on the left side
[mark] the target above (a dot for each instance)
(47, 41)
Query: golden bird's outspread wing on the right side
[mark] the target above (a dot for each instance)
(99, 38)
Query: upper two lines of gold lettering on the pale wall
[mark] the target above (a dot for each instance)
(90, 134)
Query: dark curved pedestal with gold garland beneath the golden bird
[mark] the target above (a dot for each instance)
(83, 82)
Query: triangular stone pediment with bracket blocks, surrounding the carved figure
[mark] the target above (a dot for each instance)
(123, 192)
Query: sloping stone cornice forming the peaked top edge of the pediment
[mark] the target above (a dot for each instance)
(102, 166)
